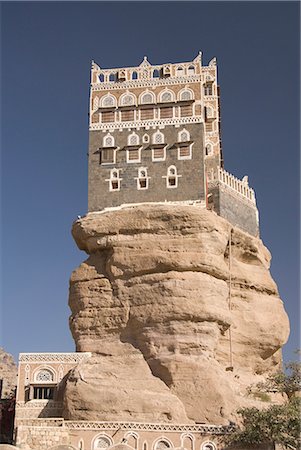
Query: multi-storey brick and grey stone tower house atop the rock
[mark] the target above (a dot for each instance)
(155, 137)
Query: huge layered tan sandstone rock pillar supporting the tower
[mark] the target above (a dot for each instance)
(152, 303)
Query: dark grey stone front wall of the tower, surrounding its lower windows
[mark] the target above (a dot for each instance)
(191, 171)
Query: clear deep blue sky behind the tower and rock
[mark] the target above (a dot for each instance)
(47, 50)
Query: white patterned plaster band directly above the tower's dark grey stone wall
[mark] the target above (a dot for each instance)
(147, 123)
